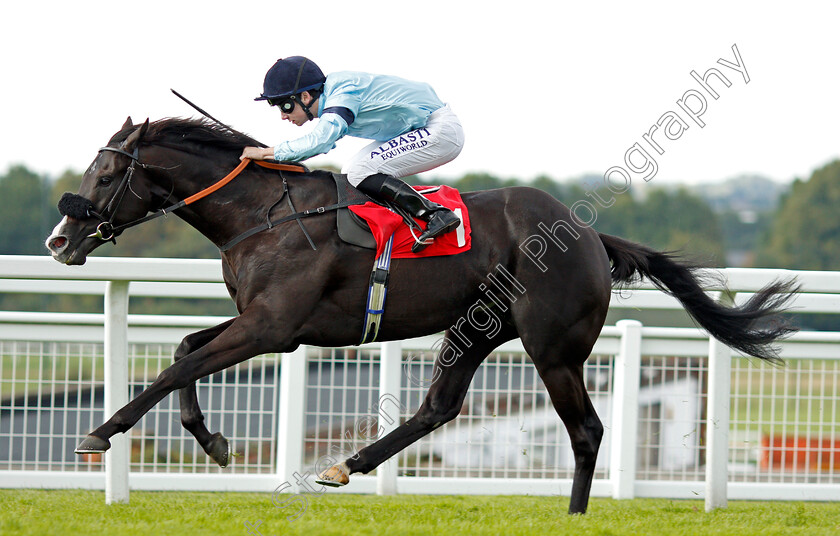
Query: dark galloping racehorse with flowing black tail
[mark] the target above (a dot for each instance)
(533, 272)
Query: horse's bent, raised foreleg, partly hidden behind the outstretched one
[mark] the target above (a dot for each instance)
(215, 445)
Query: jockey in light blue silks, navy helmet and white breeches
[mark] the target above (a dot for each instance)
(412, 129)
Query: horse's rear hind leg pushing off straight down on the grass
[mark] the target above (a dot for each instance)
(561, 369)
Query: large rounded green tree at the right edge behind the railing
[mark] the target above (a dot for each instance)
(805, 233)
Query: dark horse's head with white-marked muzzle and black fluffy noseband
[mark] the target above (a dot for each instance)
(113, 192)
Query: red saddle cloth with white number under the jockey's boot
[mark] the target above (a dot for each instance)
(383, 223)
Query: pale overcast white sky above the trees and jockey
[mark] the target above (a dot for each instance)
(540, 87)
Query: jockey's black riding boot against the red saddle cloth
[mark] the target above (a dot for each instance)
(440, 220)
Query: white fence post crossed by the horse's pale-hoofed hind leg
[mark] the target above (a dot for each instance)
(390, 375)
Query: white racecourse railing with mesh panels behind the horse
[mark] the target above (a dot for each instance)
(648, 383)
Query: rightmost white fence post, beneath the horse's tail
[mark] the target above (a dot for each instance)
(717, 424)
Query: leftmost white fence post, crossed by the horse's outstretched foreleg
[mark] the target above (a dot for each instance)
(118, 457)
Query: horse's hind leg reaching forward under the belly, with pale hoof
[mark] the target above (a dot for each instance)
(442, 404)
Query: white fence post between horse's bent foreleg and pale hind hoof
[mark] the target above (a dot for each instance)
(290, 426)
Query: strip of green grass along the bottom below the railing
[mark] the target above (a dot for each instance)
(42, 512)
